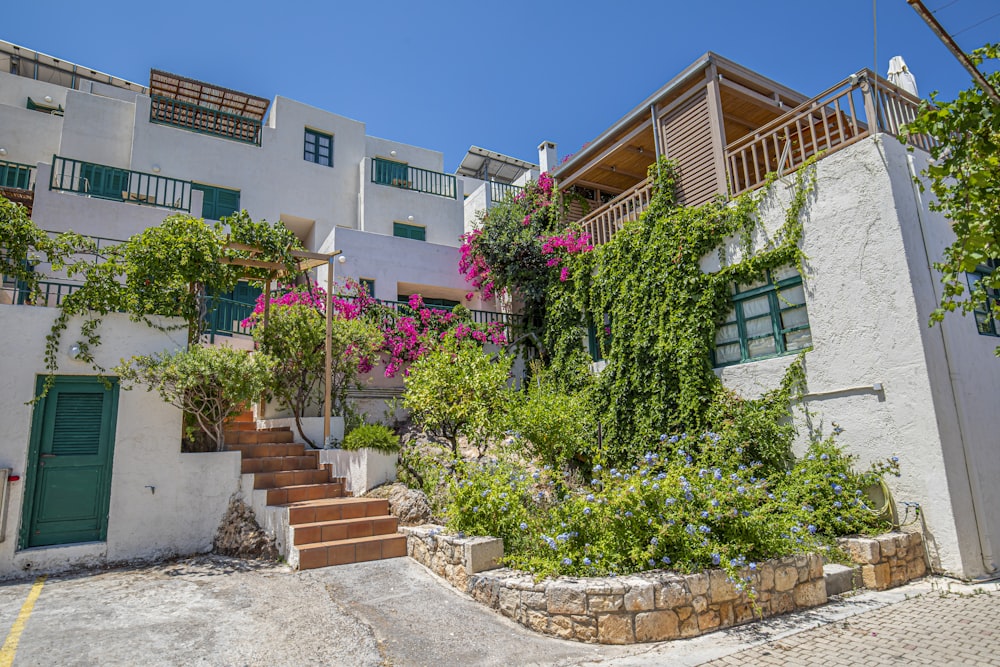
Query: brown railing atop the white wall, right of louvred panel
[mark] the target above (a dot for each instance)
(836, 118)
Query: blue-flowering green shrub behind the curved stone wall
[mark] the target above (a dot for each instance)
(694, 504)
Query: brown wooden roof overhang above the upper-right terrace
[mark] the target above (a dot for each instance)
(619, 157)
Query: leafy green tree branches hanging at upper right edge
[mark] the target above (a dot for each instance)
(965, 178)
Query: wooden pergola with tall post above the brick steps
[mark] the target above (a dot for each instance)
(306, 260)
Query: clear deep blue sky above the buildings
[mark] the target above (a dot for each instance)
(502, 75)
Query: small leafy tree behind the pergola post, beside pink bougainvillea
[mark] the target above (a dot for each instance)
(295, 336)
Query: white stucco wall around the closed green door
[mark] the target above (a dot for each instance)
(191, 490)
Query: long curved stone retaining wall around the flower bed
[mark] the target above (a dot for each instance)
(646, 607)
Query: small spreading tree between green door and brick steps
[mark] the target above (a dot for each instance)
(211, 383)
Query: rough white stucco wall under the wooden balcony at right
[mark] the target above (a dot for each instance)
(868, 293)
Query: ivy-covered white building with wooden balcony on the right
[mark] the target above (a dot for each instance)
(875, 367)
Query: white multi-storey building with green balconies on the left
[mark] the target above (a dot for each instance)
(108, 158)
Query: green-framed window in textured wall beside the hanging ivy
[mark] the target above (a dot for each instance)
(768, 319)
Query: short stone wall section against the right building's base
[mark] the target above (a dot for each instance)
(888, 560)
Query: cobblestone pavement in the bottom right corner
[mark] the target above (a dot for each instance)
(936, 628)
